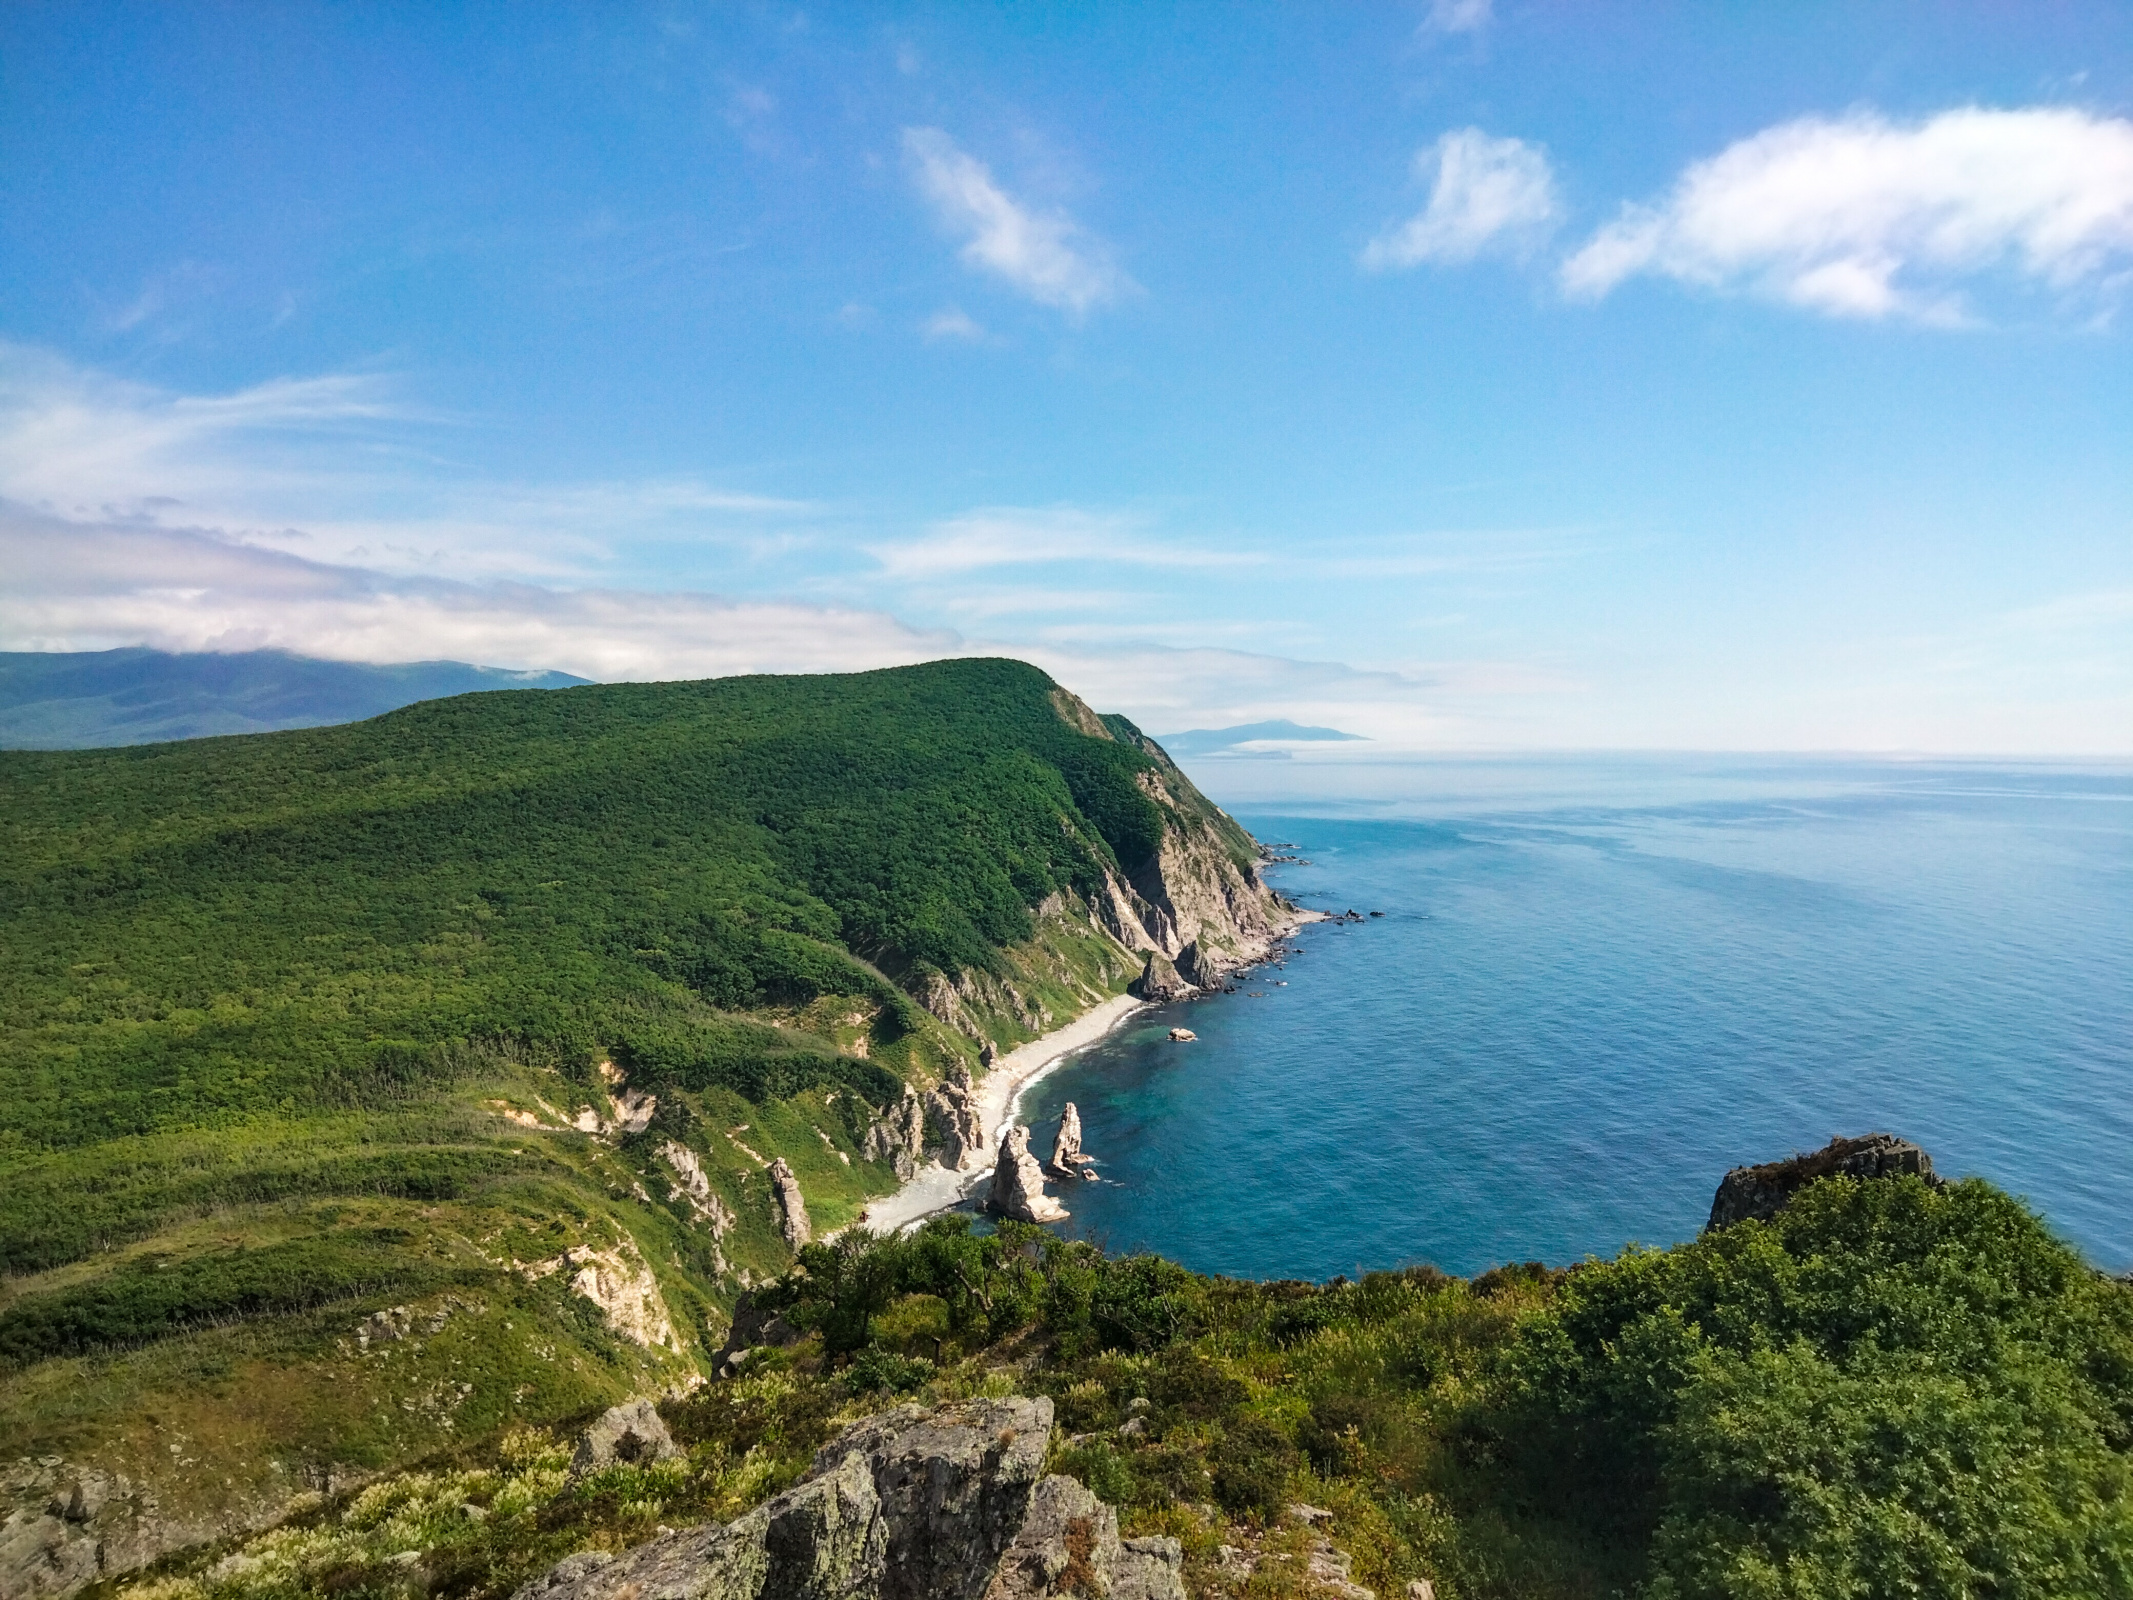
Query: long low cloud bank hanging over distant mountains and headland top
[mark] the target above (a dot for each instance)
(78, 586)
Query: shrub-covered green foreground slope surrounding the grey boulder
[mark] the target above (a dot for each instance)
(1891, 1390)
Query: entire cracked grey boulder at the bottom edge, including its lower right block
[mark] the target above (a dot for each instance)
(912, 1505)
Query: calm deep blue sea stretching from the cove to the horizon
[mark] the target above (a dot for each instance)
(1603, 985)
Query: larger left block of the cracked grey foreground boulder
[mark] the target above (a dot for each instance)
(912, 1505)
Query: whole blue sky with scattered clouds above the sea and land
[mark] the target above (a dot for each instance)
(1464, 377)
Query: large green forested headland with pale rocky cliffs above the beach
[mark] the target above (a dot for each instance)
(379, 1087)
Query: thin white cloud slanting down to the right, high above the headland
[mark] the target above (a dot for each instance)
(1046, 255)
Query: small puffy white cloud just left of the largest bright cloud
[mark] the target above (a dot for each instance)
(1488, 195)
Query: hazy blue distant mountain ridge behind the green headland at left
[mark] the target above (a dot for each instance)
(99, 699)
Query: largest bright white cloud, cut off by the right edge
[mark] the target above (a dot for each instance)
(1870, 219)
